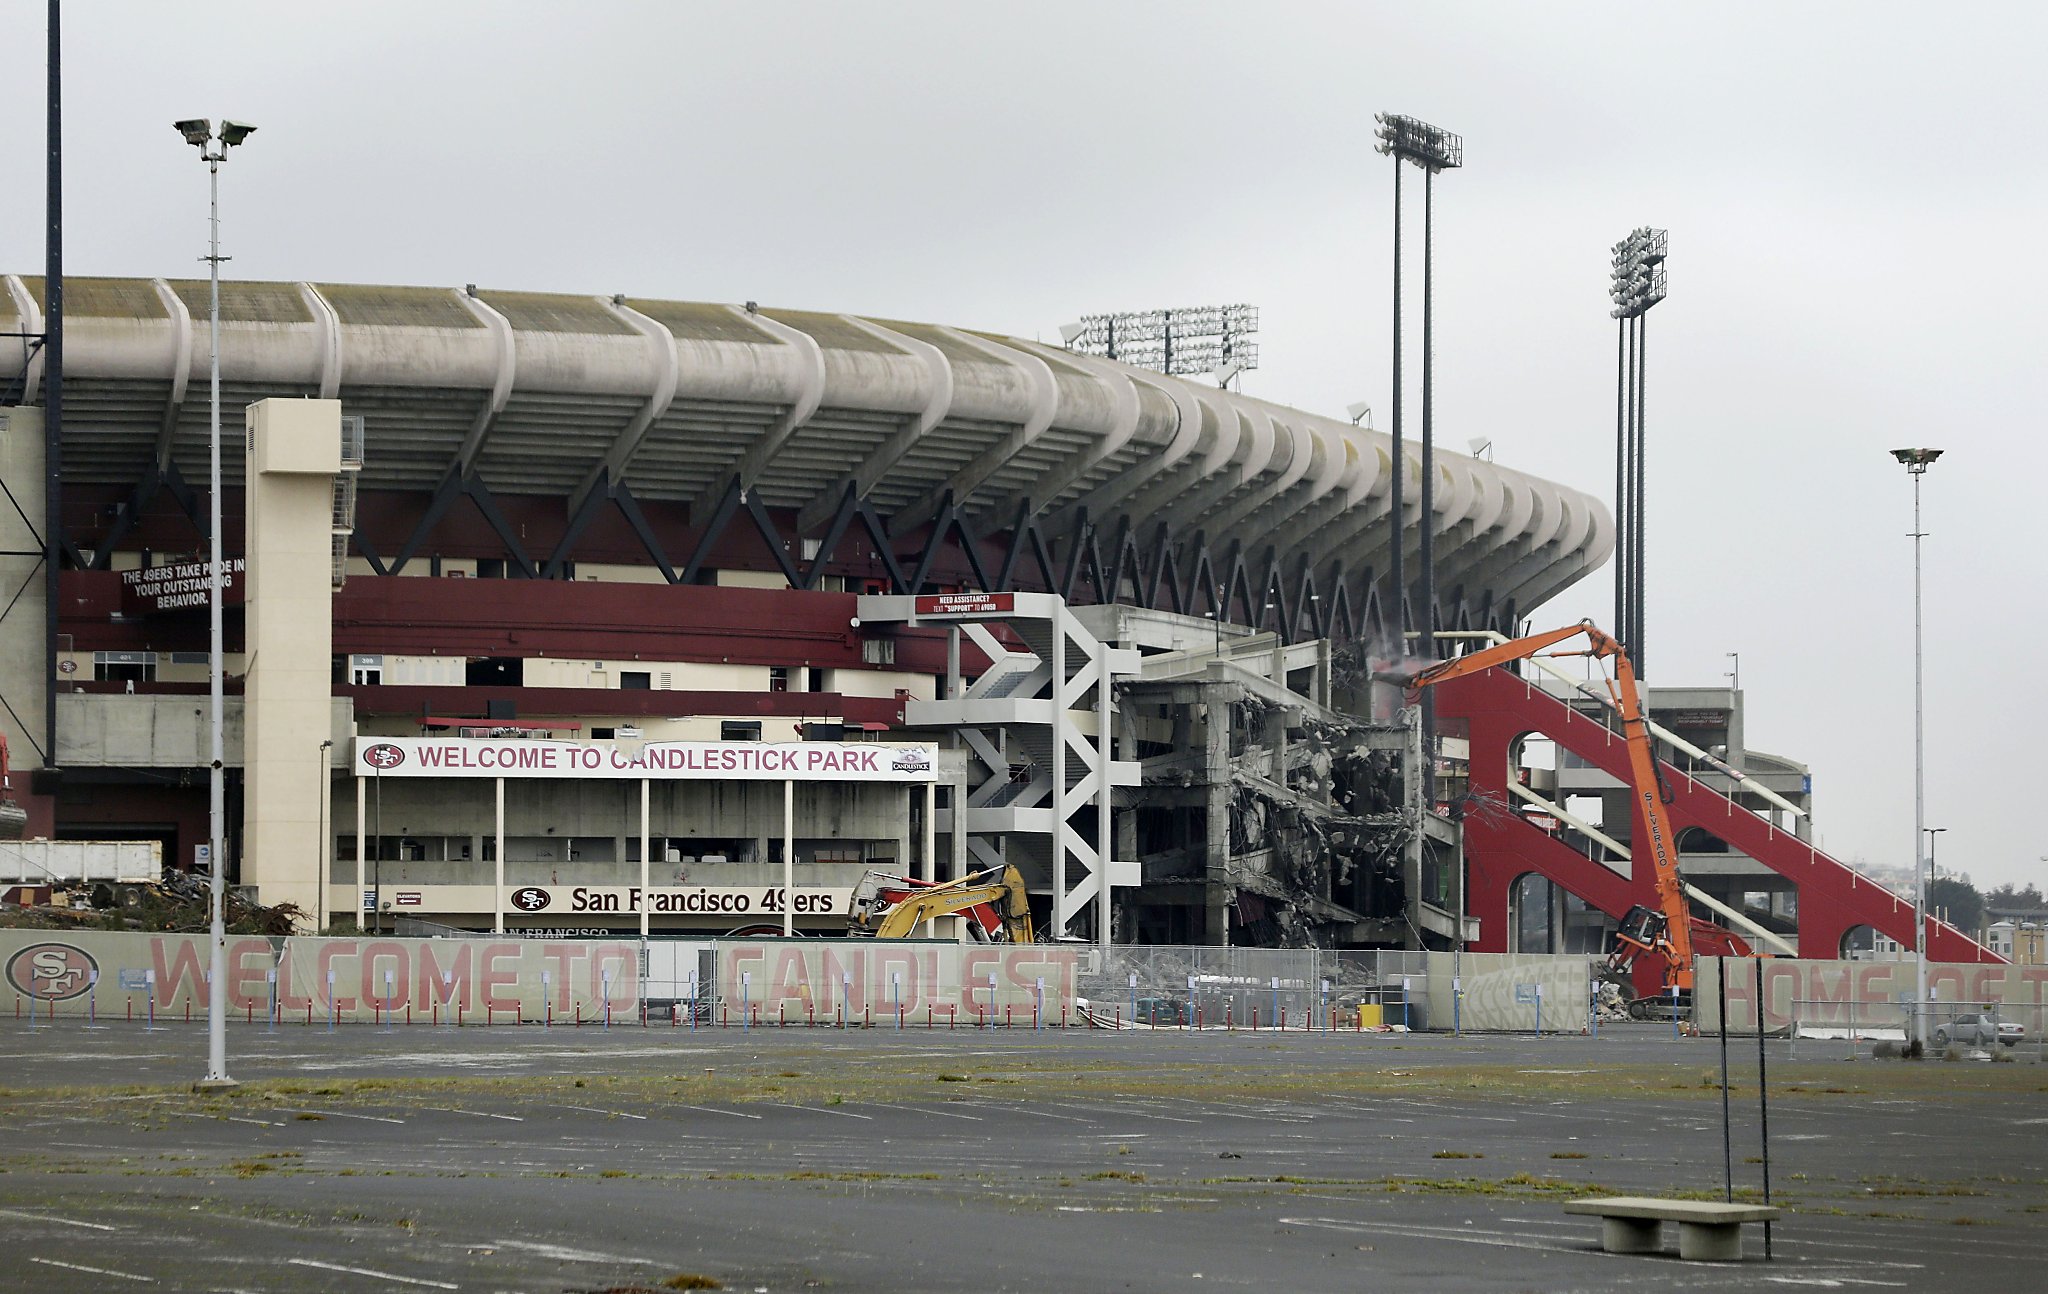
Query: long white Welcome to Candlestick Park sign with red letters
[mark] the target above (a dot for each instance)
(669, 761)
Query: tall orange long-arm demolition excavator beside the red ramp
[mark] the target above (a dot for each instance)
(1668, 929)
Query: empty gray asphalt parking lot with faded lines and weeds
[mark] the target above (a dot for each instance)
(1013, 1160)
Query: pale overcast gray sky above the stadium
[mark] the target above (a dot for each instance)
(1854, 196)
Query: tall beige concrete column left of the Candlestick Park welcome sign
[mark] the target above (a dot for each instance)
(294, 451)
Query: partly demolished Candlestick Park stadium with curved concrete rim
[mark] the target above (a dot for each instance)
(1134, 617)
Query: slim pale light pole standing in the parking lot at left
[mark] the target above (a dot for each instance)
(214, 148)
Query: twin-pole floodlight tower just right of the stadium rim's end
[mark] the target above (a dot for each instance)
(1635, 284)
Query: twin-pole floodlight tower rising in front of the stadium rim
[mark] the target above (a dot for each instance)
(1433, 150)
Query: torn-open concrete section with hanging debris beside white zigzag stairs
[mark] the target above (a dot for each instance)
(1281, 814)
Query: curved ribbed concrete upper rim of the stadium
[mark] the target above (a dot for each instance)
(540, 394)
